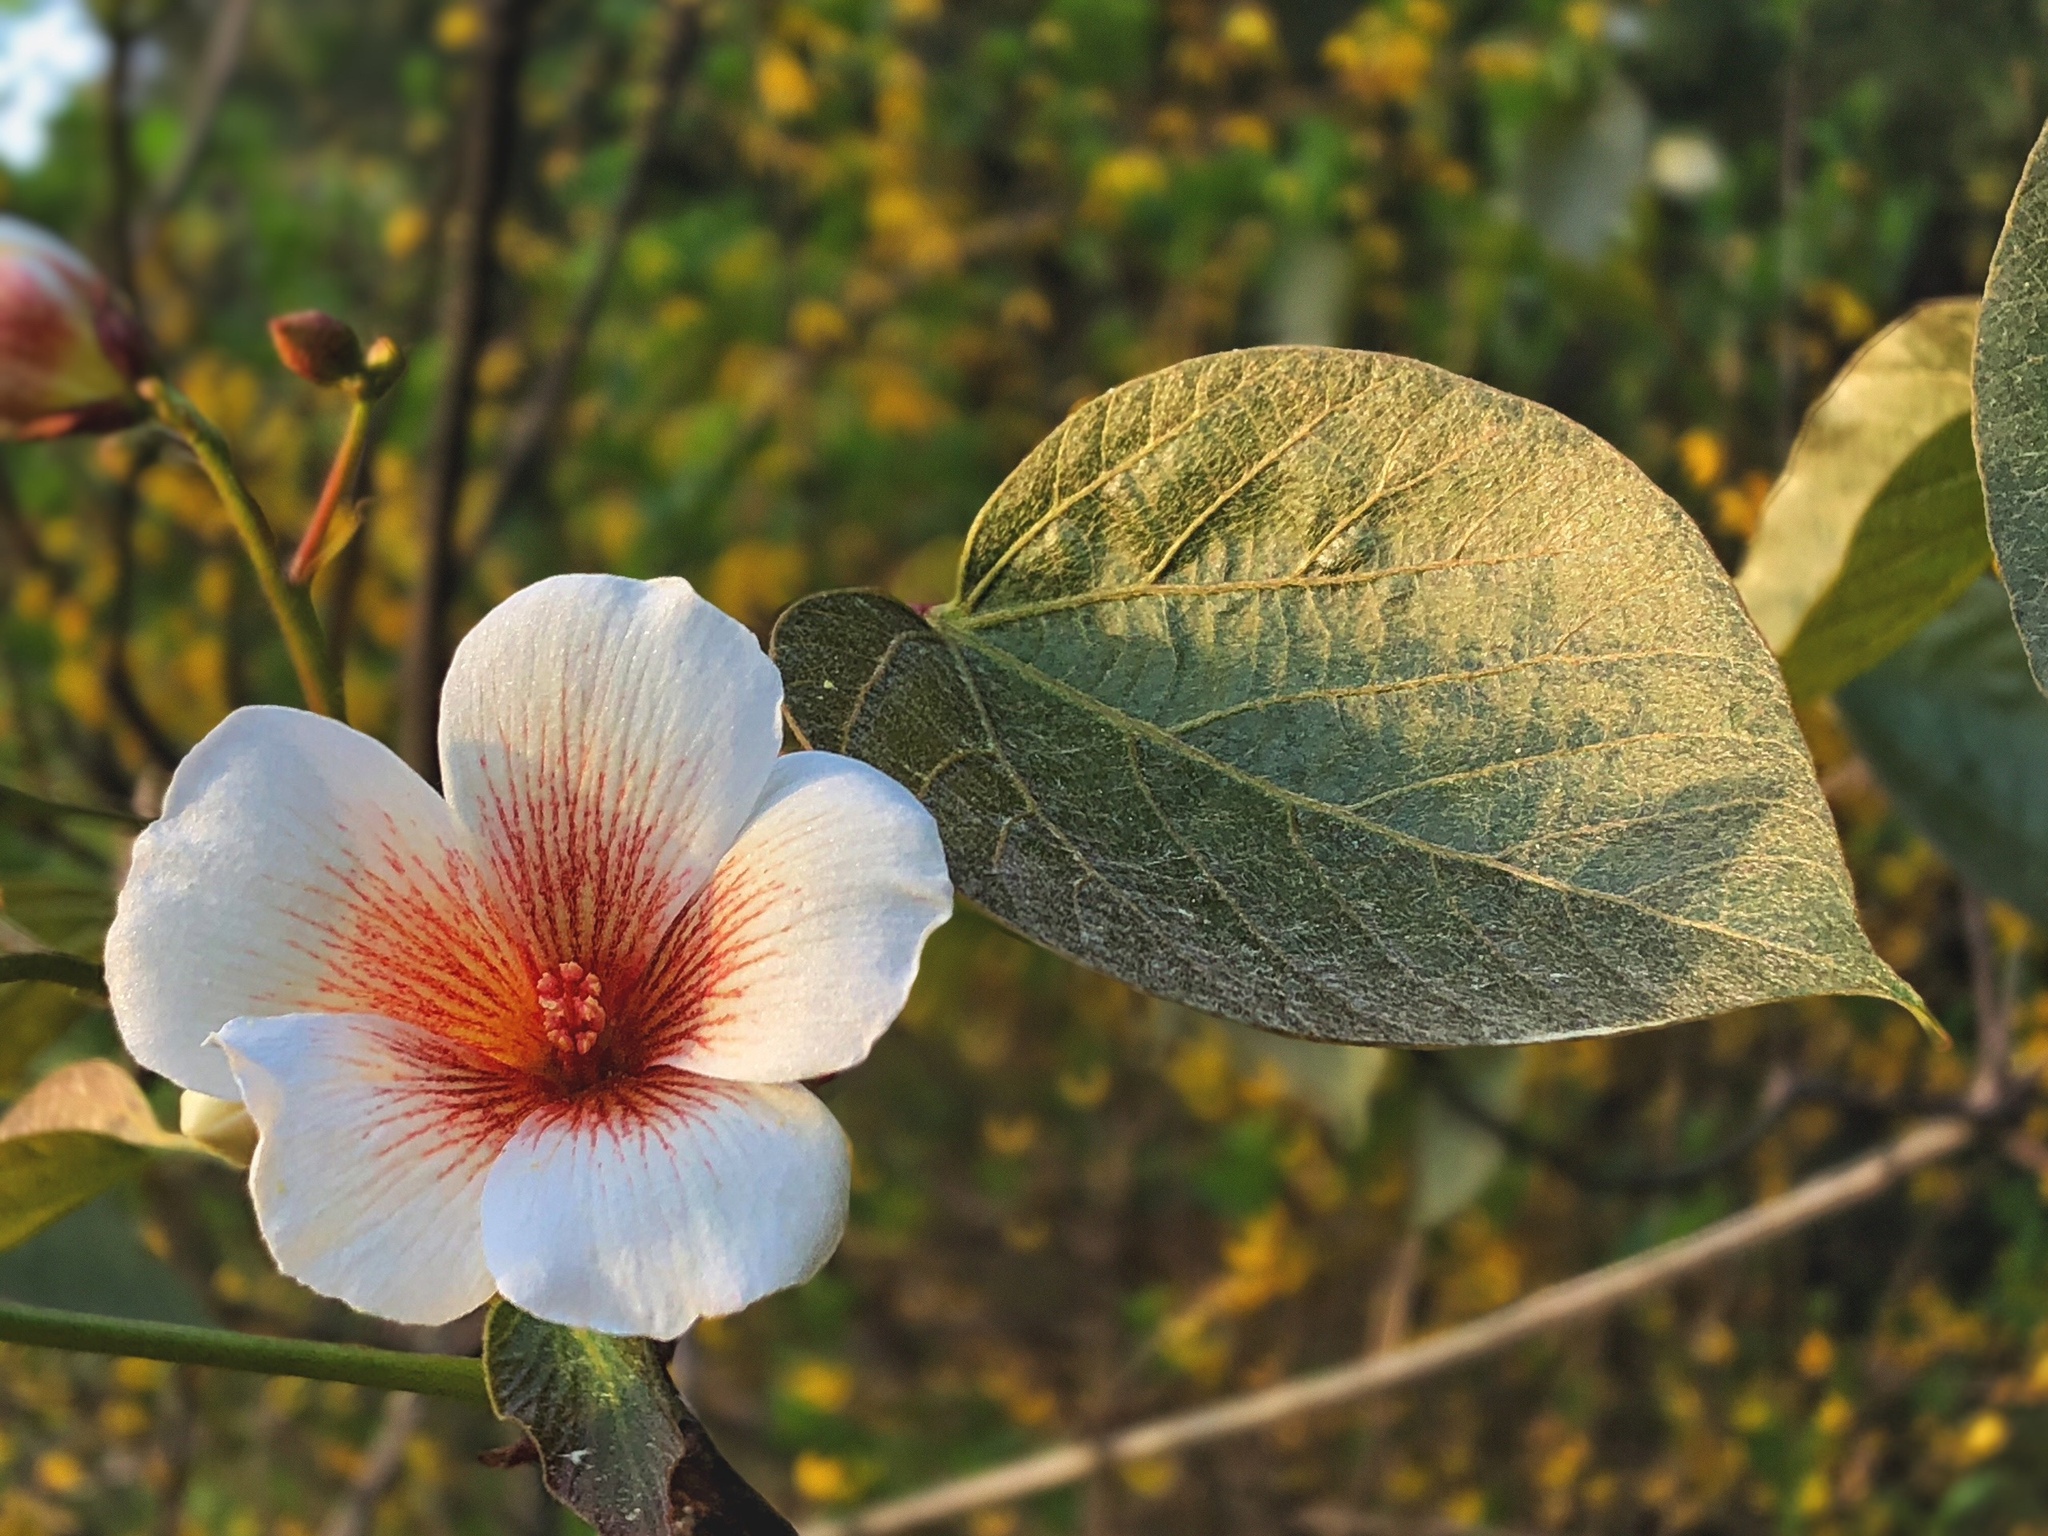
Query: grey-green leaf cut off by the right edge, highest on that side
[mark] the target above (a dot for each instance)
(2012, 404)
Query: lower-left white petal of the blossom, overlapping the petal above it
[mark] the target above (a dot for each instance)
(376, 1144)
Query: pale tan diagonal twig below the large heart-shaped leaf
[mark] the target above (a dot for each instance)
(1570, 1302)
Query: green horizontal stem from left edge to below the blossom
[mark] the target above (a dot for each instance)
(433, 1375)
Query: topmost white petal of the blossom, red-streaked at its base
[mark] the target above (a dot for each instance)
(607, 740)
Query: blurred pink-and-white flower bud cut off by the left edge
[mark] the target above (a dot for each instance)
(69, 351)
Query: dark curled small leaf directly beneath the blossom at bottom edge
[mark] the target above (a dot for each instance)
(615, 1441)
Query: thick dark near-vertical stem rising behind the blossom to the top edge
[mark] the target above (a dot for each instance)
(488, 136)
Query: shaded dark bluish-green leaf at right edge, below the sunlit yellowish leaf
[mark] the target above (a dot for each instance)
(1959, 734)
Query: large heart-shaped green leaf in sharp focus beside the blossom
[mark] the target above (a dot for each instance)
(1340, 695)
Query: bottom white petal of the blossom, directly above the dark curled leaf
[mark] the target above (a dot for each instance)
(663, 1199)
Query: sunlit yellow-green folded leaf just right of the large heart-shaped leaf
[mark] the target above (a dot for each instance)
(1879, 521)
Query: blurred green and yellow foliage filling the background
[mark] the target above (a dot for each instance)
(886, 249)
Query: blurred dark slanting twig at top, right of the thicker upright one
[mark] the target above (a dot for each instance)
(536, 421)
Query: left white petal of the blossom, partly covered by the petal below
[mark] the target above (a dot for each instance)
(302, 869)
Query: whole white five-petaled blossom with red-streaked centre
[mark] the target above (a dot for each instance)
(542, 1035)
